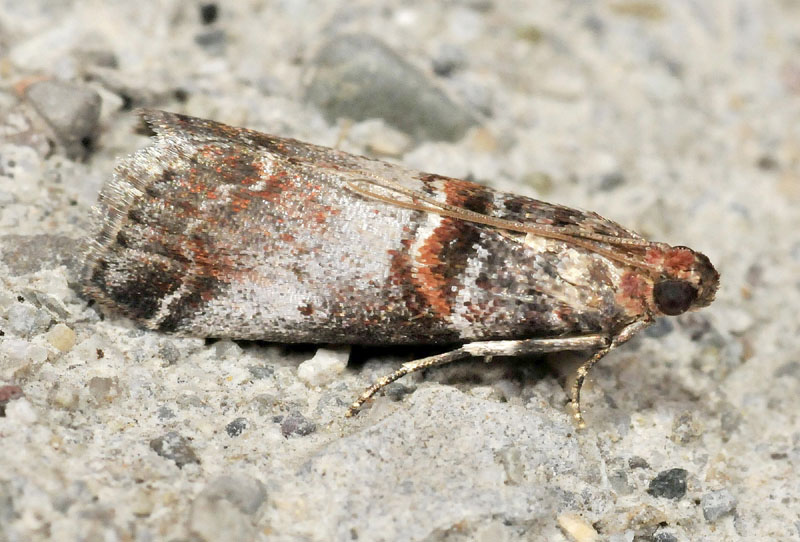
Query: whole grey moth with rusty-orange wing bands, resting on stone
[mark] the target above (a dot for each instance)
(217, 231)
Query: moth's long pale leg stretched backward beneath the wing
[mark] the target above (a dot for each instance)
(487, 349)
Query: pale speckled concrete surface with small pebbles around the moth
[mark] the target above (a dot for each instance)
(677, 119)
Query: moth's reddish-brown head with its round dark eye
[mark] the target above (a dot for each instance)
(688, 282)
